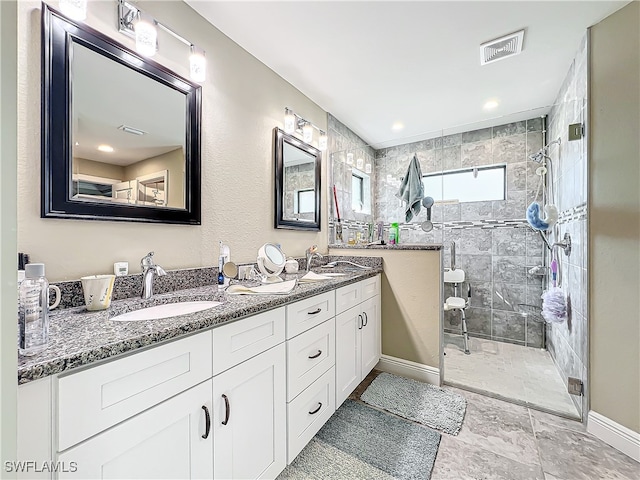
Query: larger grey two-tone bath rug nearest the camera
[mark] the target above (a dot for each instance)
(361, 442)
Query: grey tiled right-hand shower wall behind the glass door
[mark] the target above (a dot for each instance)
(567, 341)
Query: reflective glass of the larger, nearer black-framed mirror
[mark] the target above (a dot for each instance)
(128, 142)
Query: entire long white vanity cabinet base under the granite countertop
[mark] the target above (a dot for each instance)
(237, 401)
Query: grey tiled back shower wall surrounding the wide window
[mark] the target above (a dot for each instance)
(494, 245)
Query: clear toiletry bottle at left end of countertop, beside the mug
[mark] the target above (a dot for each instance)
(33, 310)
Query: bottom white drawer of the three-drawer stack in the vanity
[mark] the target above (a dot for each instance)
(309, 412)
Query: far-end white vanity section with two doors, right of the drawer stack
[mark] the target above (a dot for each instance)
(358, 336)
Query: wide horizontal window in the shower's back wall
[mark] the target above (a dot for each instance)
(467, 185)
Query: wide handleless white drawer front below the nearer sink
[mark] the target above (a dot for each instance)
(97, 398)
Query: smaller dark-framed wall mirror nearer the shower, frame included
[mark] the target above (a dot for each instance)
(297, 168)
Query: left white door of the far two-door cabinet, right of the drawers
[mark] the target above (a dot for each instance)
(348, 347)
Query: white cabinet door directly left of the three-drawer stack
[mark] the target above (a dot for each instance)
(250, 400)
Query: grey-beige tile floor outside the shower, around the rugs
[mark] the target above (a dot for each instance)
(504, 441)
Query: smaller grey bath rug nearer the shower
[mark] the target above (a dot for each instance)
(423, 403)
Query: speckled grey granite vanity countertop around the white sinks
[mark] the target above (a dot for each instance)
(78, 337)
